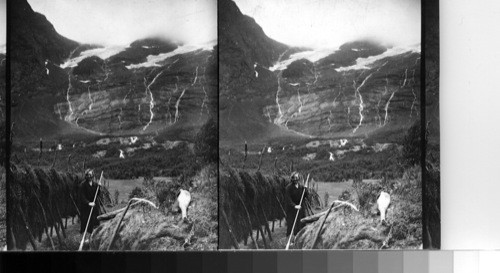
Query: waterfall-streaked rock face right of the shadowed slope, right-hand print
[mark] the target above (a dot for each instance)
(325, 99)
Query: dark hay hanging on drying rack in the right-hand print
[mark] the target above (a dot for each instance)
(263, 197)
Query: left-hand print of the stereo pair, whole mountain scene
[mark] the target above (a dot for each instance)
(114, 125)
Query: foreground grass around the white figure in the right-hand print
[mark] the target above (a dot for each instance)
(348, 229)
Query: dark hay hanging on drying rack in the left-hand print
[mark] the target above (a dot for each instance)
(45, 196)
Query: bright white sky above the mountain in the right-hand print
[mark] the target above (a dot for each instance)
(330, 23)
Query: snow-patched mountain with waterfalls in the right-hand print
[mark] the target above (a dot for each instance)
(269, 90)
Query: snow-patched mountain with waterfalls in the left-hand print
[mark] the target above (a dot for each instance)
(61, 87)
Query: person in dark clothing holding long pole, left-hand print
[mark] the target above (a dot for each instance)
(86, 192)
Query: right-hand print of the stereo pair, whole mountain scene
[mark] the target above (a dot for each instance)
(320, 125)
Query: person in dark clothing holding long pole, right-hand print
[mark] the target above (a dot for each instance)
(294, 192)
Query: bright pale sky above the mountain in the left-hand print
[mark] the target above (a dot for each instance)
(119, 22)
